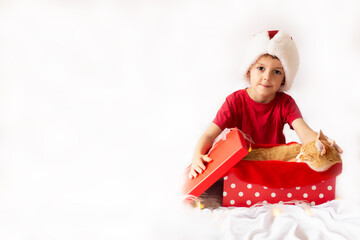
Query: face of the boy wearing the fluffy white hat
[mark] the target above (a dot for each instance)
(266, 77)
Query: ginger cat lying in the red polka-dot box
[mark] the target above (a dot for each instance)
(319, 155)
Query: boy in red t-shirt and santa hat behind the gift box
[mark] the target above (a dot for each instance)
(261, 110)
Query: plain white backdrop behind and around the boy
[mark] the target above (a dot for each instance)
(102, 103)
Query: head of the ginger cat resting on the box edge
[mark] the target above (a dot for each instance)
(319, 154)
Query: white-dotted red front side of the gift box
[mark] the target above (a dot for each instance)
(243, 194)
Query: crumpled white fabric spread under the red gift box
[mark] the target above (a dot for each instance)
(337, 219)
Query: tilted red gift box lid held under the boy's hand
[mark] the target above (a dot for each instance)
(225, 154)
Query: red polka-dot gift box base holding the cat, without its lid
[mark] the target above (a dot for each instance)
(252, 182)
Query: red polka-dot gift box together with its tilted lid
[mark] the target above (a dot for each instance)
(250, 182)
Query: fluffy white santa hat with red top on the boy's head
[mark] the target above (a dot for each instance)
(276, 43)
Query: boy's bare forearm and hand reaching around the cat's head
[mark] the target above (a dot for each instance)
(306, 134)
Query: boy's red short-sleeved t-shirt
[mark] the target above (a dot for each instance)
(263, 122)
